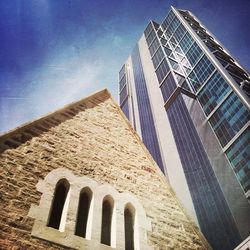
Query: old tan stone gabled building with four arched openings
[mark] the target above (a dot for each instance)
(81, 178)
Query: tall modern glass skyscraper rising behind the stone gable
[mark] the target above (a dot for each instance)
(188, 99)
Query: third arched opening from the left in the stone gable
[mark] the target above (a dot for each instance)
(107, 215)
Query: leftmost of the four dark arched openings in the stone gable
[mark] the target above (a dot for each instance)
(58, 205)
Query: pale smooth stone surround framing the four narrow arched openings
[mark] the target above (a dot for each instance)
(100, 194)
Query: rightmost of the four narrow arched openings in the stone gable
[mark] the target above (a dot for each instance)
(129, 224)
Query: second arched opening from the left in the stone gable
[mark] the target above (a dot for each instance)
(83, 212)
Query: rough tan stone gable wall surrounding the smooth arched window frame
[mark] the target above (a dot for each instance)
(93, 139)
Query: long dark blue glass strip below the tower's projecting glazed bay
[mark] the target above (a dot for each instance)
(210, 205)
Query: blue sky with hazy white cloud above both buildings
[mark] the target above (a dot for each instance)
(54, 52)
